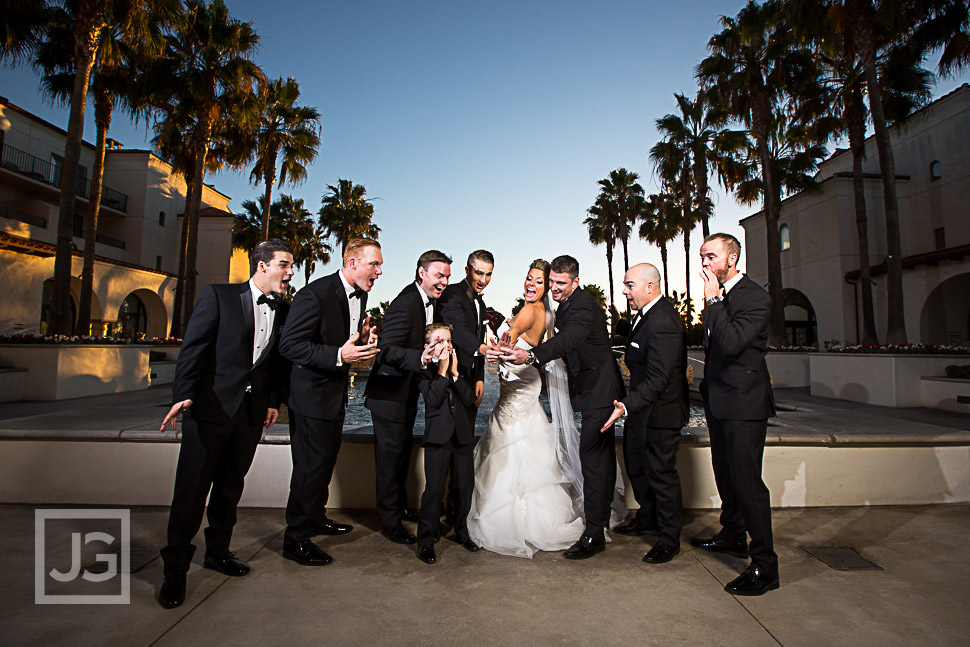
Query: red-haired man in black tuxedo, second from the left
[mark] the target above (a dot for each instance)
(325, 333)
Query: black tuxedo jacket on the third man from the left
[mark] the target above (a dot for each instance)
(391, 392)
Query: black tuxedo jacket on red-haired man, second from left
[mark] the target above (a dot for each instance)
(317, 326)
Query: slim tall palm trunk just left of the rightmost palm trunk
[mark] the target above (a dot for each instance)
(856, 127)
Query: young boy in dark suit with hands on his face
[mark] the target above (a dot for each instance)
(447, 433)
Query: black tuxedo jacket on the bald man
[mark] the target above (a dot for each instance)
(656, 355)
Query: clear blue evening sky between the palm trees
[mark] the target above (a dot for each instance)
(477, 125)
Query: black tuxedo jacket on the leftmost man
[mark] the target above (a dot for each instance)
(215, 363)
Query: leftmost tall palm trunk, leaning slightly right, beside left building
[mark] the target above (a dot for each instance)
(87, 32)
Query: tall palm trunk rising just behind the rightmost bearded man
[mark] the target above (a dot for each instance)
(772, 201)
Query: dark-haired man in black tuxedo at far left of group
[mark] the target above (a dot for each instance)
(228, 380)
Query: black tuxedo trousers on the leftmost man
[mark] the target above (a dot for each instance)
(213, 462)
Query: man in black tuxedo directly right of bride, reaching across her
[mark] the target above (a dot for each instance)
(581, 339)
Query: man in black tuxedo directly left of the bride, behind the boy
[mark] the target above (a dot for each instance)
(462, 306)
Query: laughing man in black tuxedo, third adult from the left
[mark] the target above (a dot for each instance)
(392, 393)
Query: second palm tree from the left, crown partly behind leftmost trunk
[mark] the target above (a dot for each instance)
(113, 81)
